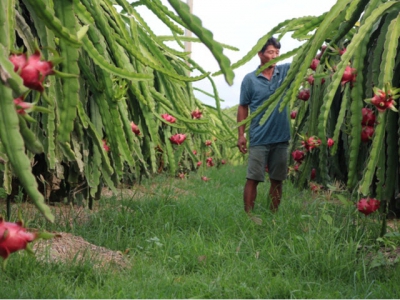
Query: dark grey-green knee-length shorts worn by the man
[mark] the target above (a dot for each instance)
(275, 156)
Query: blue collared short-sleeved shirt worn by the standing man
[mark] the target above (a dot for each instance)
(256, 89)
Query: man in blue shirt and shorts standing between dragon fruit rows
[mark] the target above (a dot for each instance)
(268, 142)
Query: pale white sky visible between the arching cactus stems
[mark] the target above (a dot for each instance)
(239, 23)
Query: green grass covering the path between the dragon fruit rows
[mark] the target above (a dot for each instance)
(192, 239)
